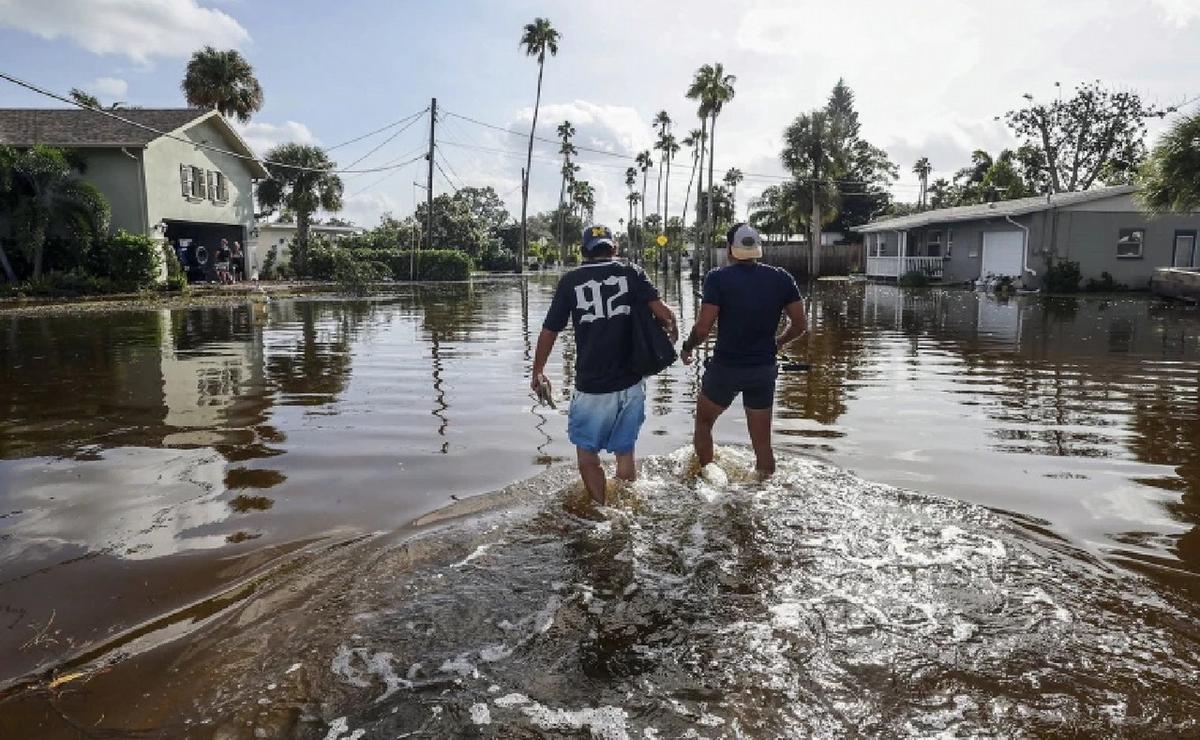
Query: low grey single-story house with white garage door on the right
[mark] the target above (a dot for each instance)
(1103, 230)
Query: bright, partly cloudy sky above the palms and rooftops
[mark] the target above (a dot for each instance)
(931, 77)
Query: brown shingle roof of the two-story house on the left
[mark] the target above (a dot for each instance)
(80, 128)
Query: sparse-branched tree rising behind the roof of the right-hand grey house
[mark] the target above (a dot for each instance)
(1094, 135)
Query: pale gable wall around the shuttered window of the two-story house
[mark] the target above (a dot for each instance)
(165, 198)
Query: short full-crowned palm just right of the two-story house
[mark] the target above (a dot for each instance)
(299, 185)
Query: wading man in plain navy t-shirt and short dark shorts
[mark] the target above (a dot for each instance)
(746, 300)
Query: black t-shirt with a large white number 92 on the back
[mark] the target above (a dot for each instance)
(598, 300)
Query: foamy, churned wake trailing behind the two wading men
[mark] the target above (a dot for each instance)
(812, 604)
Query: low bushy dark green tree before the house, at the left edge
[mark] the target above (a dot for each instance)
(41, 195)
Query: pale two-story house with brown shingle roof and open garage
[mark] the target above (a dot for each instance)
(170, 188)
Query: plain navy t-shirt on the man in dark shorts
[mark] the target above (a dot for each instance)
(753, 298)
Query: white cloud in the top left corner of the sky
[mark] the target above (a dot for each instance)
(137, 29)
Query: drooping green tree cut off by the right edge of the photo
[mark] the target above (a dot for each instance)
(1171, 178)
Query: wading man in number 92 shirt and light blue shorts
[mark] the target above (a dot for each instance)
(609, 406)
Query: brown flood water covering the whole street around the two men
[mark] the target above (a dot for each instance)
(341, 520)
